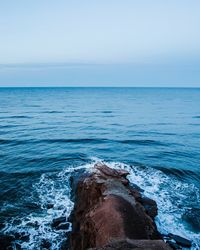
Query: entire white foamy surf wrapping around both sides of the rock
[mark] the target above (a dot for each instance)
(53, 194)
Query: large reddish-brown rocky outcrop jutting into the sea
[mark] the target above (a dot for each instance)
(110, 214)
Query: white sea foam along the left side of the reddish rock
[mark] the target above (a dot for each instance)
(53, 194)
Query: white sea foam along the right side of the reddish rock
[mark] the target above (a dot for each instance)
(171, 196)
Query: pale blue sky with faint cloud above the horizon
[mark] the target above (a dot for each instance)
(100, 43)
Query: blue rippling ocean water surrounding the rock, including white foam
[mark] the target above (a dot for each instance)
(48, 135)
